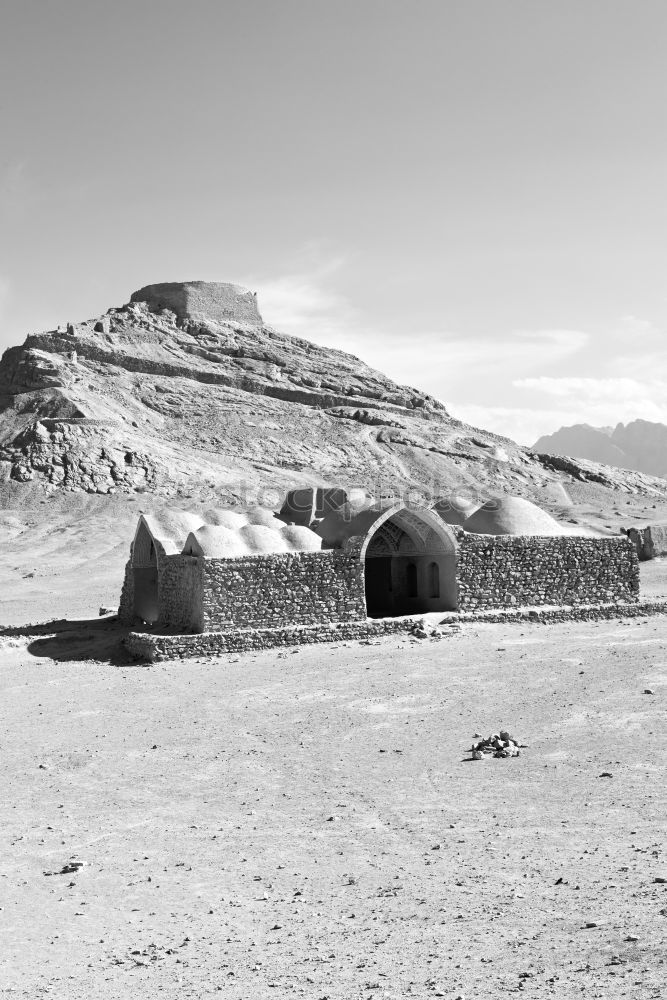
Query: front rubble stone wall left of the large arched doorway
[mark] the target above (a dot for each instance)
(299, 588)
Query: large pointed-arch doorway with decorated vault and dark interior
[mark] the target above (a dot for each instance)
(410, 559)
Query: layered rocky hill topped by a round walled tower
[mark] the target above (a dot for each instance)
(186, 394)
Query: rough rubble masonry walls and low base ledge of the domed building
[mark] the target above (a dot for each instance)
(271, 600)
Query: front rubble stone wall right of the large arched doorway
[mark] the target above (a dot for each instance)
(497, 571)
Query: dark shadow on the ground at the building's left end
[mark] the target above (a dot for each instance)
(96, 639)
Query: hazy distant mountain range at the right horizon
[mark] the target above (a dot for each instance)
(639, 445)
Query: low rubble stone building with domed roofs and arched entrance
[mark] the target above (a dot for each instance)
(228, 573)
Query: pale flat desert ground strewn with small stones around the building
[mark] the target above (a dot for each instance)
(307, 822)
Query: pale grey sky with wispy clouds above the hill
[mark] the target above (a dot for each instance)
(470, 195)
